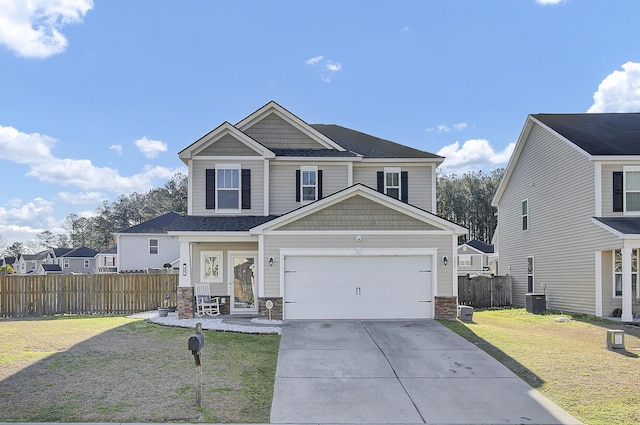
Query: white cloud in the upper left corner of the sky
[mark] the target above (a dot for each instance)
(32, 28)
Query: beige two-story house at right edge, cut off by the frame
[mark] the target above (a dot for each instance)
(569, 213)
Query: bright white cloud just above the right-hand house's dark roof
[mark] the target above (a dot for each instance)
(619, 91)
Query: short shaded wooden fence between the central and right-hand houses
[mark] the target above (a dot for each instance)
(484, 291)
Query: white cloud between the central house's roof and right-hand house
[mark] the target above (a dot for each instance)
(475, 154)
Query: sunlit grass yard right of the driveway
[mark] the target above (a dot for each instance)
(567, 362)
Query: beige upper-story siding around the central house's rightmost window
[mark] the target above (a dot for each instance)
(420, 180)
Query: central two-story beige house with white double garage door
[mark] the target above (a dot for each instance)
(314, 221)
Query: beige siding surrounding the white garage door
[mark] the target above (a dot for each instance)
(275, 241)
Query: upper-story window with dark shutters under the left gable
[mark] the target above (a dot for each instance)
(228, 188)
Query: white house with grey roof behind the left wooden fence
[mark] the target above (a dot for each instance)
(147, 245)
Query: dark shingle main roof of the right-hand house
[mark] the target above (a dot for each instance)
(598, 134)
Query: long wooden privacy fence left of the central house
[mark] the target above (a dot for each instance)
(22, 296)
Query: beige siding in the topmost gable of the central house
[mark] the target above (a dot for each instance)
(275, 133)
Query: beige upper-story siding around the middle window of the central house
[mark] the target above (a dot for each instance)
(282, 179)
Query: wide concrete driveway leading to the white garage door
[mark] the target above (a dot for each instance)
(393, 371)
